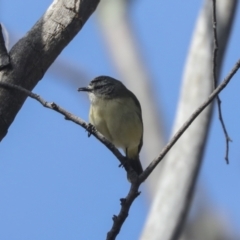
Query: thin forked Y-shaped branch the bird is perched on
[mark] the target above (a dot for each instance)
(133, 192)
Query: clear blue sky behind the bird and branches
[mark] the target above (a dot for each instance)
(56, 183)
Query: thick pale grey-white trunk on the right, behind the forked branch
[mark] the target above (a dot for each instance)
(180, 169)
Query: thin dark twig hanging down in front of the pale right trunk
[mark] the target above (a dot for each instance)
(214, 73)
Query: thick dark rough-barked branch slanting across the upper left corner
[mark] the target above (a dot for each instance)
(32, 55)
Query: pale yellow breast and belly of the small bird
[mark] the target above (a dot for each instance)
(119, 121)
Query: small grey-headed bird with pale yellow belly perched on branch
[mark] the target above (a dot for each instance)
(116, 113)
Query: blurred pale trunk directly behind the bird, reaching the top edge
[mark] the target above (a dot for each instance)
(125, 54)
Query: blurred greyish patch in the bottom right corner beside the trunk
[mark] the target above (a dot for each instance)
(208, 222)
